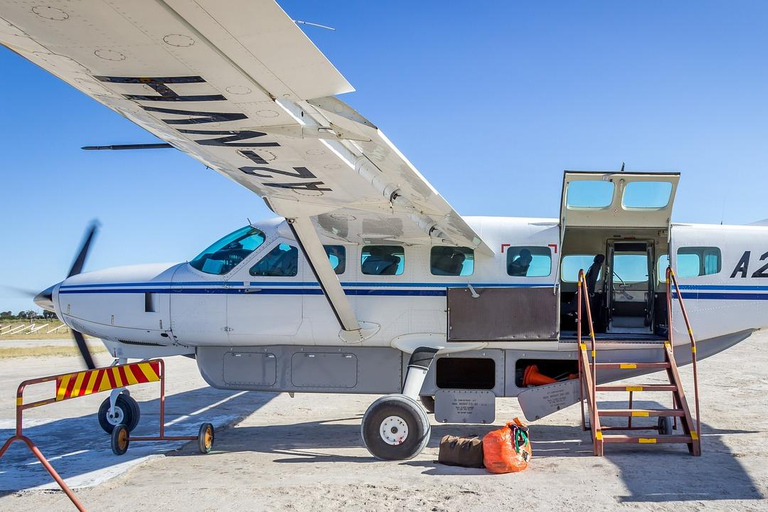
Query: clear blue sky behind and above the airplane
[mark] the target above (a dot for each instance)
(490, 101)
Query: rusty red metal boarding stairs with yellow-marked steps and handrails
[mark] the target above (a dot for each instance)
(589, 365)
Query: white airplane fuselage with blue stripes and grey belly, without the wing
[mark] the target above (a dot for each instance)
(158, 310)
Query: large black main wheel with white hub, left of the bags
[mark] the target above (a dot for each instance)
(395, 427)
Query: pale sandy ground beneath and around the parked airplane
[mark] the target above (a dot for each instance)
(305, 453)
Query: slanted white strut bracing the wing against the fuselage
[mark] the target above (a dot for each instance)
(313, 250)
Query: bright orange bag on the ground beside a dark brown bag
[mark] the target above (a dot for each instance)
(508, 449)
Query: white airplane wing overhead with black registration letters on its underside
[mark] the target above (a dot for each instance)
(238, 86)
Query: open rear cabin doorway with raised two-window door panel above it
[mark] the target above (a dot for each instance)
(625, 217)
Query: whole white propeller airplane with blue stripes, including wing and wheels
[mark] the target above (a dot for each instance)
(368, 275)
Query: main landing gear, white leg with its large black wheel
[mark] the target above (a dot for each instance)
(396, 427)
